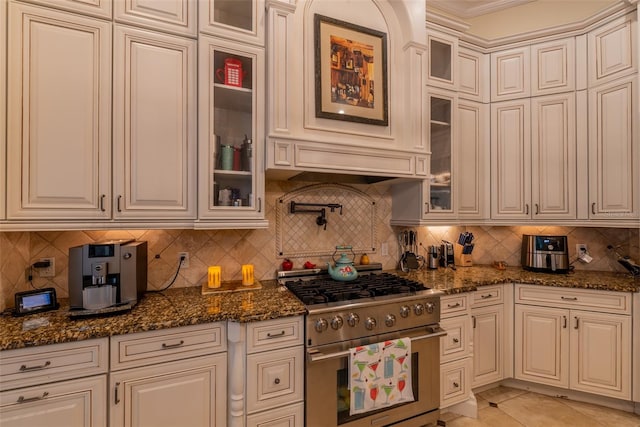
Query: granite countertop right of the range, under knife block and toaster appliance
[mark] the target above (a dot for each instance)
(466, 279)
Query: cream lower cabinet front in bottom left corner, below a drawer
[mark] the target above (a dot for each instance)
(71, 403)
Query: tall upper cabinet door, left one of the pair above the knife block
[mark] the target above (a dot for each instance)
(511, 160)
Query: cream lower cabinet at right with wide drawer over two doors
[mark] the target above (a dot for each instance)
(586, 336)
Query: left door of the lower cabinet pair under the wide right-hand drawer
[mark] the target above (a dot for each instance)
(538, 328)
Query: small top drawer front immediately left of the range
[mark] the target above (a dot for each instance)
(274, 334)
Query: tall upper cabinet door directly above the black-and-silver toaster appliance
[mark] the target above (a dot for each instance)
(553, 157)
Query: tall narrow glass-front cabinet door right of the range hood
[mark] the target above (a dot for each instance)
(441, 142)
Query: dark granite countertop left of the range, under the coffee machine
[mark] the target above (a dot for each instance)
(169, 309)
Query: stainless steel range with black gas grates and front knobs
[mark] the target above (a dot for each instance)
(376, 307)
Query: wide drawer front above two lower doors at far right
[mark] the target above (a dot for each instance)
(584, 299)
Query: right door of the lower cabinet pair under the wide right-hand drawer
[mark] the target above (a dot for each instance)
(601, 348)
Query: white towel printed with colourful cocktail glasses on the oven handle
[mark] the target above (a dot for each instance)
(380, 375)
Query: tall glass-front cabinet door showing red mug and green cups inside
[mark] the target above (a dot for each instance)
(231, 182)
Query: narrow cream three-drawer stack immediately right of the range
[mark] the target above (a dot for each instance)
(456, 363)
